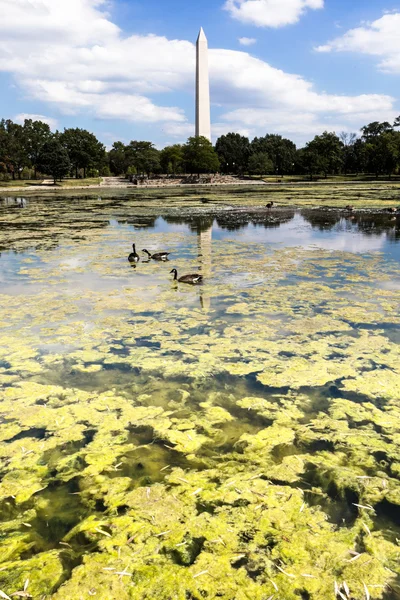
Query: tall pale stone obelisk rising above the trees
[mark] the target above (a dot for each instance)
(203, 118)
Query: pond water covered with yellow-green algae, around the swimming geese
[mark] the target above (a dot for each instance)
(239, 439)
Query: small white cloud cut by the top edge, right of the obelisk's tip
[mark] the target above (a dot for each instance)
(270, 13)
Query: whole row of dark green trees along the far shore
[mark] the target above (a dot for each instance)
(32, 150)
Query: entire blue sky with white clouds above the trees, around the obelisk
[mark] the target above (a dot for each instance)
(125, 69)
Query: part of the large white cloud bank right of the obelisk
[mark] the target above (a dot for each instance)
(263, 98)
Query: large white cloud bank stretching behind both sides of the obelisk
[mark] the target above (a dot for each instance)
(132, 78)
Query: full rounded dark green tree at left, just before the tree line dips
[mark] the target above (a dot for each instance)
(83, 148)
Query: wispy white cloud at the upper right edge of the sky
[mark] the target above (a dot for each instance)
(380, 38)
